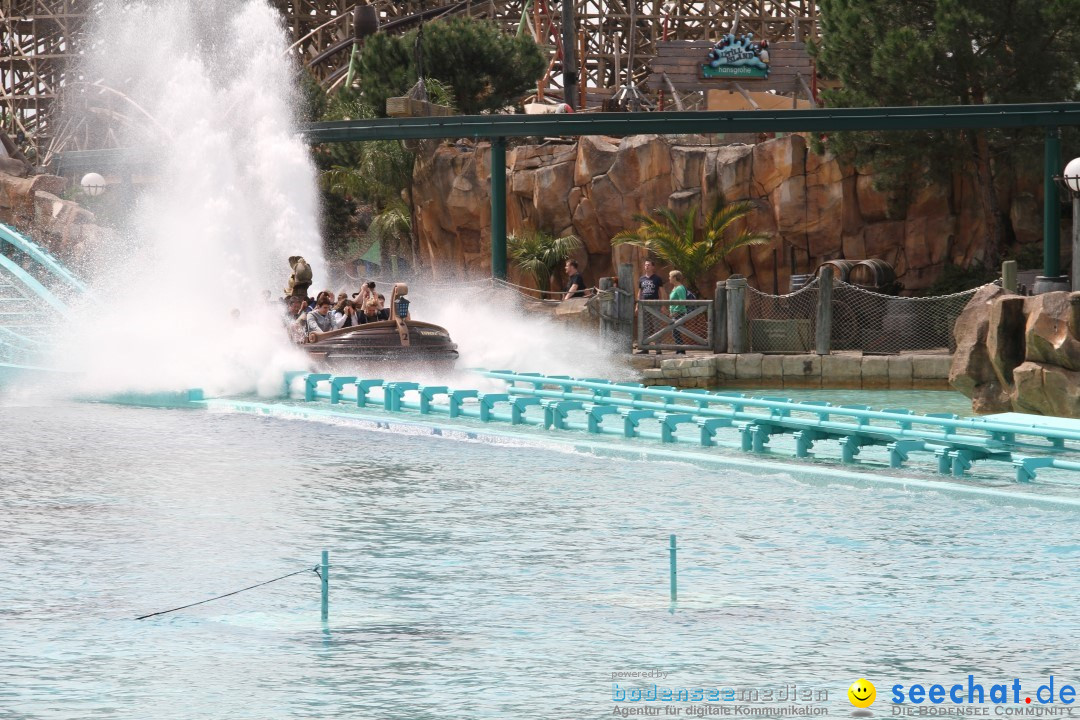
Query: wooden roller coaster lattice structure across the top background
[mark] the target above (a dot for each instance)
(616, 43)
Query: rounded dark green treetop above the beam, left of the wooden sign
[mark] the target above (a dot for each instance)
(487, 69)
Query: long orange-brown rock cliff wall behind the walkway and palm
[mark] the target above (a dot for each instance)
(593, 188)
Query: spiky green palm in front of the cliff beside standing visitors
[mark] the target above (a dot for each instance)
(673, 238)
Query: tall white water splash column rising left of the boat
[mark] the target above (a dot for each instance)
(234, 196)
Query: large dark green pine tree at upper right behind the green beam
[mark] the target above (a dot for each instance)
(947, 52)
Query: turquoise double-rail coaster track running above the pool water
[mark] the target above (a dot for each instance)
(669, 416)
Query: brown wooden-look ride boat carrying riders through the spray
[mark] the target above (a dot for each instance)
(398, 341)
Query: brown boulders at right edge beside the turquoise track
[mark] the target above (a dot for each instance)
(1020, 354)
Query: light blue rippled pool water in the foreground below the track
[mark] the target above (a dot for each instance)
(483, 580)
